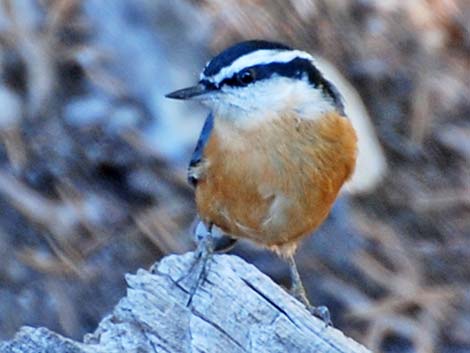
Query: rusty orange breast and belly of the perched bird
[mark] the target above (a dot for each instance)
(276, 183)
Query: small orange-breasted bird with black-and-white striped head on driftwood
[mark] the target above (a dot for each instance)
(274, 151)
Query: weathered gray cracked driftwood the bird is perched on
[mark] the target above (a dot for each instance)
(237, 309)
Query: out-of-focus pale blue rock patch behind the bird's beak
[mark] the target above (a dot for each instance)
(149, 44)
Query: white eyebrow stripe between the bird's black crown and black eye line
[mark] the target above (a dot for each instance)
(259, 57)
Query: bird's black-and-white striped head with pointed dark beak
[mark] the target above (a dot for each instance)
(256, 80)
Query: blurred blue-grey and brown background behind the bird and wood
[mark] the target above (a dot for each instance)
(93, 157)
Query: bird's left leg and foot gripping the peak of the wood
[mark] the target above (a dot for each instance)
(205, 249)
